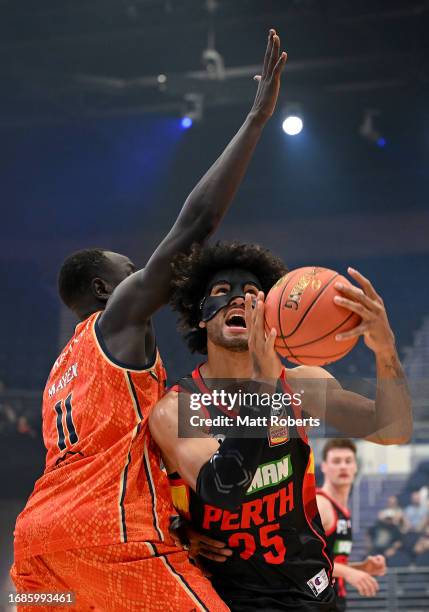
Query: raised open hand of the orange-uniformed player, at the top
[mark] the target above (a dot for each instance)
(269, 80)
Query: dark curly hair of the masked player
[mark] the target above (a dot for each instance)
(191, 273)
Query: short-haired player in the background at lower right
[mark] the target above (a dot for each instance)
(339, 468)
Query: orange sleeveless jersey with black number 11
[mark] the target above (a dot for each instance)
(102, 482)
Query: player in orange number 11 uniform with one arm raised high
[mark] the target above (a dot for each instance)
(97, 521)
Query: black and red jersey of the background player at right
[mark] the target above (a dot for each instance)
(339, 539)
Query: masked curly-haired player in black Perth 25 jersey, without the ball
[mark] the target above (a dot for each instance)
(257, 496)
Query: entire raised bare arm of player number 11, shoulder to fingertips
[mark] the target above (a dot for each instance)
(125, 324)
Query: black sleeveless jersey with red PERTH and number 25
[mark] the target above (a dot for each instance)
(276, 535)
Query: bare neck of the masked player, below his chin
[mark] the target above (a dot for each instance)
(223, 363)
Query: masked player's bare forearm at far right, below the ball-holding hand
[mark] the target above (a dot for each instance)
(393, 409)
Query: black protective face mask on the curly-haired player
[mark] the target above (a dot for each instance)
(237, 279)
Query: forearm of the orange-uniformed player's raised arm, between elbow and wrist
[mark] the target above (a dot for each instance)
(212, 196)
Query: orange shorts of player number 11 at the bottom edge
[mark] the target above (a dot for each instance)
(118, 577)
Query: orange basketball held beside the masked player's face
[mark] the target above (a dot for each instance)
(302, 309)
